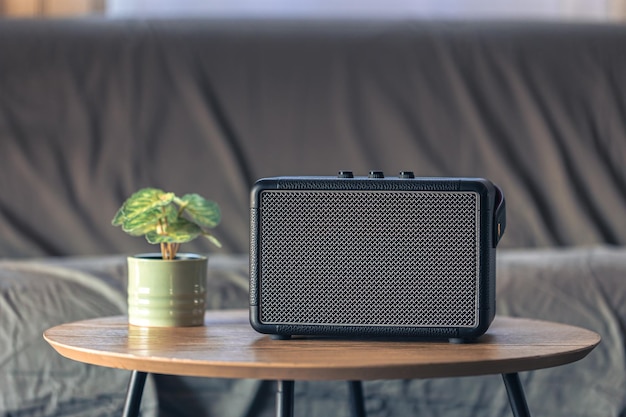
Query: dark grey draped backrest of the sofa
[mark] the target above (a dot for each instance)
(91, 110)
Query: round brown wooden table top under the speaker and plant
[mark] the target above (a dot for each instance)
(228, 347)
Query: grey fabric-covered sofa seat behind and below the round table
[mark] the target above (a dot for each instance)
(580, 286)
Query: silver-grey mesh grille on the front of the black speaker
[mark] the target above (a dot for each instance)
(371, 258)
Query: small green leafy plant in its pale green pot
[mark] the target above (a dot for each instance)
(167, 288)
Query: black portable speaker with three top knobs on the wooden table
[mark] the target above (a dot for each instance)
(374, 256)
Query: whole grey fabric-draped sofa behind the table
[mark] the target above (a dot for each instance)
(91, 110)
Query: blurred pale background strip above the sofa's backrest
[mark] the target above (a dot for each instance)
(612, 10)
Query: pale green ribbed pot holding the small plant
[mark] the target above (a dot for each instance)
(164, 293)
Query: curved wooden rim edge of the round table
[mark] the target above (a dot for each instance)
(294, 372)
